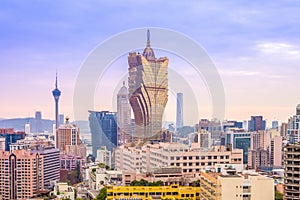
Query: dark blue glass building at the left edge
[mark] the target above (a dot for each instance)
(11, 136)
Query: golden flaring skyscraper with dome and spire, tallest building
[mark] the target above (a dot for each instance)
(148, 91)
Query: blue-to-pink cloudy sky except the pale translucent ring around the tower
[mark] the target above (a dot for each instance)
(254, 45)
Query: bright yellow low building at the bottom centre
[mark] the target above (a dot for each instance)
(153, 192)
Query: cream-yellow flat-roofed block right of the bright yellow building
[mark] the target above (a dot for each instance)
(232, 186)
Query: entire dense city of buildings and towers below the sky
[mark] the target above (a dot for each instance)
(218, 160)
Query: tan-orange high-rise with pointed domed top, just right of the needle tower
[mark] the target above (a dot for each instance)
(67, 134)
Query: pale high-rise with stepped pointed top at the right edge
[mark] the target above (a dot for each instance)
(293, 127)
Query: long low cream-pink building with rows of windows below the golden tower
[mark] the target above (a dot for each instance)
(191, 159)
